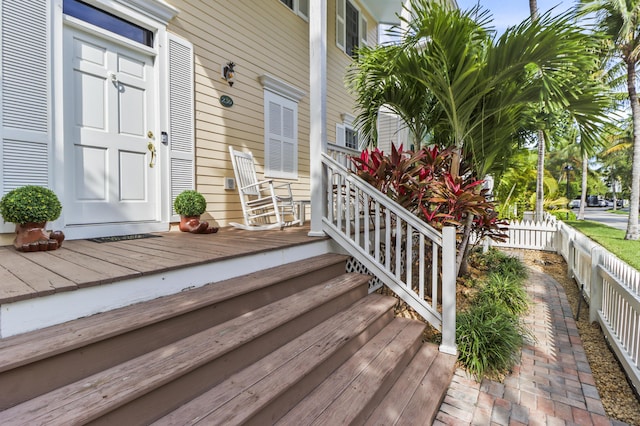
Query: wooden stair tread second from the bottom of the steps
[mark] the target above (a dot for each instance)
(358, 385)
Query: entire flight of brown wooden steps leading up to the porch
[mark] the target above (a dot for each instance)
(299, 344)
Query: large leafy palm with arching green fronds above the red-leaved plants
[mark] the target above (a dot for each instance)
(475, 91)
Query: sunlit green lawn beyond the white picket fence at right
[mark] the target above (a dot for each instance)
(610, 238)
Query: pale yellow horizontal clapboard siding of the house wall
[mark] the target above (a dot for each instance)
(261, 37)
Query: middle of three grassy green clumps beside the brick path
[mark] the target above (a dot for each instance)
(506, 291)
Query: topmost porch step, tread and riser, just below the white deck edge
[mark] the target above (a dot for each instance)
(37, 362)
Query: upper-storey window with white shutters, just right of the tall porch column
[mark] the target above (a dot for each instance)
(351, 27)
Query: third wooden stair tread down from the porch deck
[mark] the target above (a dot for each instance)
(251, 390)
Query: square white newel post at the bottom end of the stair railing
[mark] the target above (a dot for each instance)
(448, 290)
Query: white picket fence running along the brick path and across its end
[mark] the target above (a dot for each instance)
(610, 286)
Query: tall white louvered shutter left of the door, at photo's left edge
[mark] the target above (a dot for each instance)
(25, 132)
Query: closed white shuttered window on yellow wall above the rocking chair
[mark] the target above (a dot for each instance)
(281, 136)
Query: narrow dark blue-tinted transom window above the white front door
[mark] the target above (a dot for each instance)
(109, 22)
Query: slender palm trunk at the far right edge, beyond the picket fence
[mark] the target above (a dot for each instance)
(634, 199)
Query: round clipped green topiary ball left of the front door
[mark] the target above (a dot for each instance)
(30, 203)
